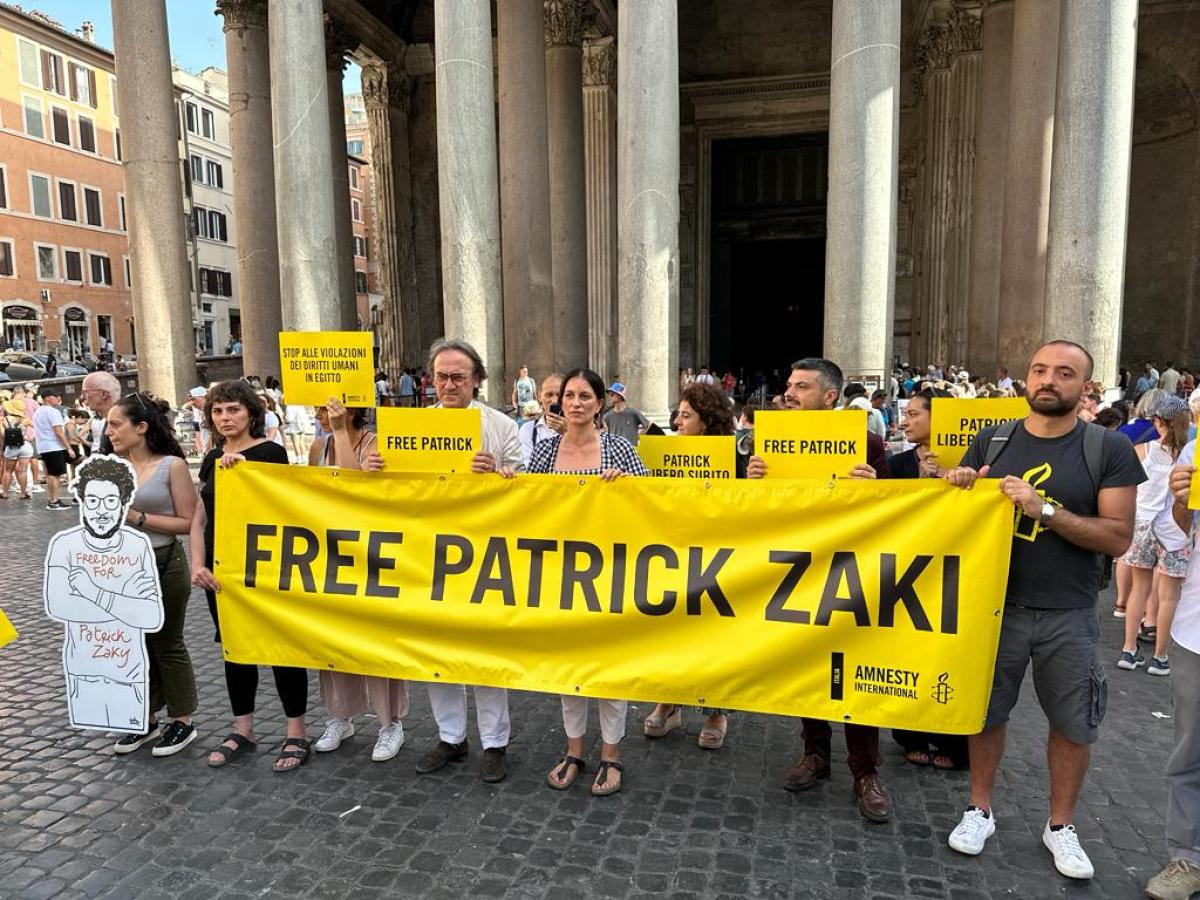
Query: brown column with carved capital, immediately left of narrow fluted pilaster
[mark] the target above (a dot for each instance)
(568, 193)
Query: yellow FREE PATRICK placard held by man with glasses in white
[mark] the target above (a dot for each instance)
(435, 440)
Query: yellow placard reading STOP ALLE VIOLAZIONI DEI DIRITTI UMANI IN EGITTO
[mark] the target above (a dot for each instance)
(319, 365)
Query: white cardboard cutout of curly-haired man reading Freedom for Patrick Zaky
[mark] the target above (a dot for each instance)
(103, 584)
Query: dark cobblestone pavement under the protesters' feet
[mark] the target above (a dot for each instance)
(79, 821)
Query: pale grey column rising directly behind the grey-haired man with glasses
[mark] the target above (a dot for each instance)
(467, 182)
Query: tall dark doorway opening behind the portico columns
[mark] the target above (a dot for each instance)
(767, 254)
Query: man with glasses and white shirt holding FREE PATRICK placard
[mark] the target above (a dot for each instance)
(458, 373)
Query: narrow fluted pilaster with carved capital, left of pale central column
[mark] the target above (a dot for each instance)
(601, 159)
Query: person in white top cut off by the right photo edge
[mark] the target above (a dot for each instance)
(1181, 878)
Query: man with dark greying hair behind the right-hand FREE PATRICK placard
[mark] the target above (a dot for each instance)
(817, 385)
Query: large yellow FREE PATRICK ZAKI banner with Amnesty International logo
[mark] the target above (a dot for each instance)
(851, 601)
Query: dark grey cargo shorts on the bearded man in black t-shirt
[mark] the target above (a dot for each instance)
(1067, 675)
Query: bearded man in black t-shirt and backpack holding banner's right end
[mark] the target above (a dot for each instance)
(1071, 506)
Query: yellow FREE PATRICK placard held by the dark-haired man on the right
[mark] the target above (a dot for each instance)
(801, 443)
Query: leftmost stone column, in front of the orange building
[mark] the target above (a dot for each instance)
(154, 201)
